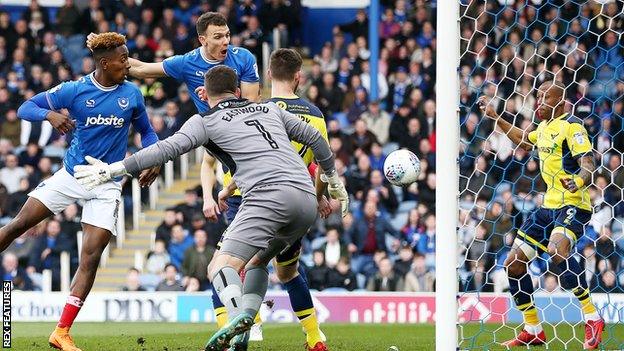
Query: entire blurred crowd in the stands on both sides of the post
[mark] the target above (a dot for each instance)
(387, 241)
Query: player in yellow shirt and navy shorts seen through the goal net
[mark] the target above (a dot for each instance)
(566, 163)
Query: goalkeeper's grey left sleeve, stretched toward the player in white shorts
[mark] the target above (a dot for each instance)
(191, 135)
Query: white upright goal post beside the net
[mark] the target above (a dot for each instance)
(447, 173)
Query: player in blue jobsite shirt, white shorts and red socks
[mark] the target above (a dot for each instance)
(102, 106)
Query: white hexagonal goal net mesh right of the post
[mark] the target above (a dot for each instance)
(508, 48)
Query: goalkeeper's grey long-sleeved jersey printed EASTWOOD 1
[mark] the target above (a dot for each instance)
(251, 139)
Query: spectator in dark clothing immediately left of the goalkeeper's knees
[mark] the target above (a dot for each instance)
(197, 258)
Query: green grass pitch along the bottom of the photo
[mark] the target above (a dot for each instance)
(285, 337)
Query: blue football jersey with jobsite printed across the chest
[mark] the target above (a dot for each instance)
(103, 116)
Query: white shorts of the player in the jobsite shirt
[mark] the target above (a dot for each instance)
(100, 204)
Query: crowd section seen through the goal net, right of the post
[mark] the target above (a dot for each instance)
(506, 52)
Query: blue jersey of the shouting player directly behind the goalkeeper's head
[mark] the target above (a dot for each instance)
(192, 66)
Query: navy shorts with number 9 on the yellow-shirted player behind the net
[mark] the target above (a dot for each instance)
(534, 235)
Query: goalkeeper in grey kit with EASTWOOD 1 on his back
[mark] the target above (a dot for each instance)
(279, 202)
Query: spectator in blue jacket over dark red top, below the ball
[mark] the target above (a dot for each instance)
(367, 236)
